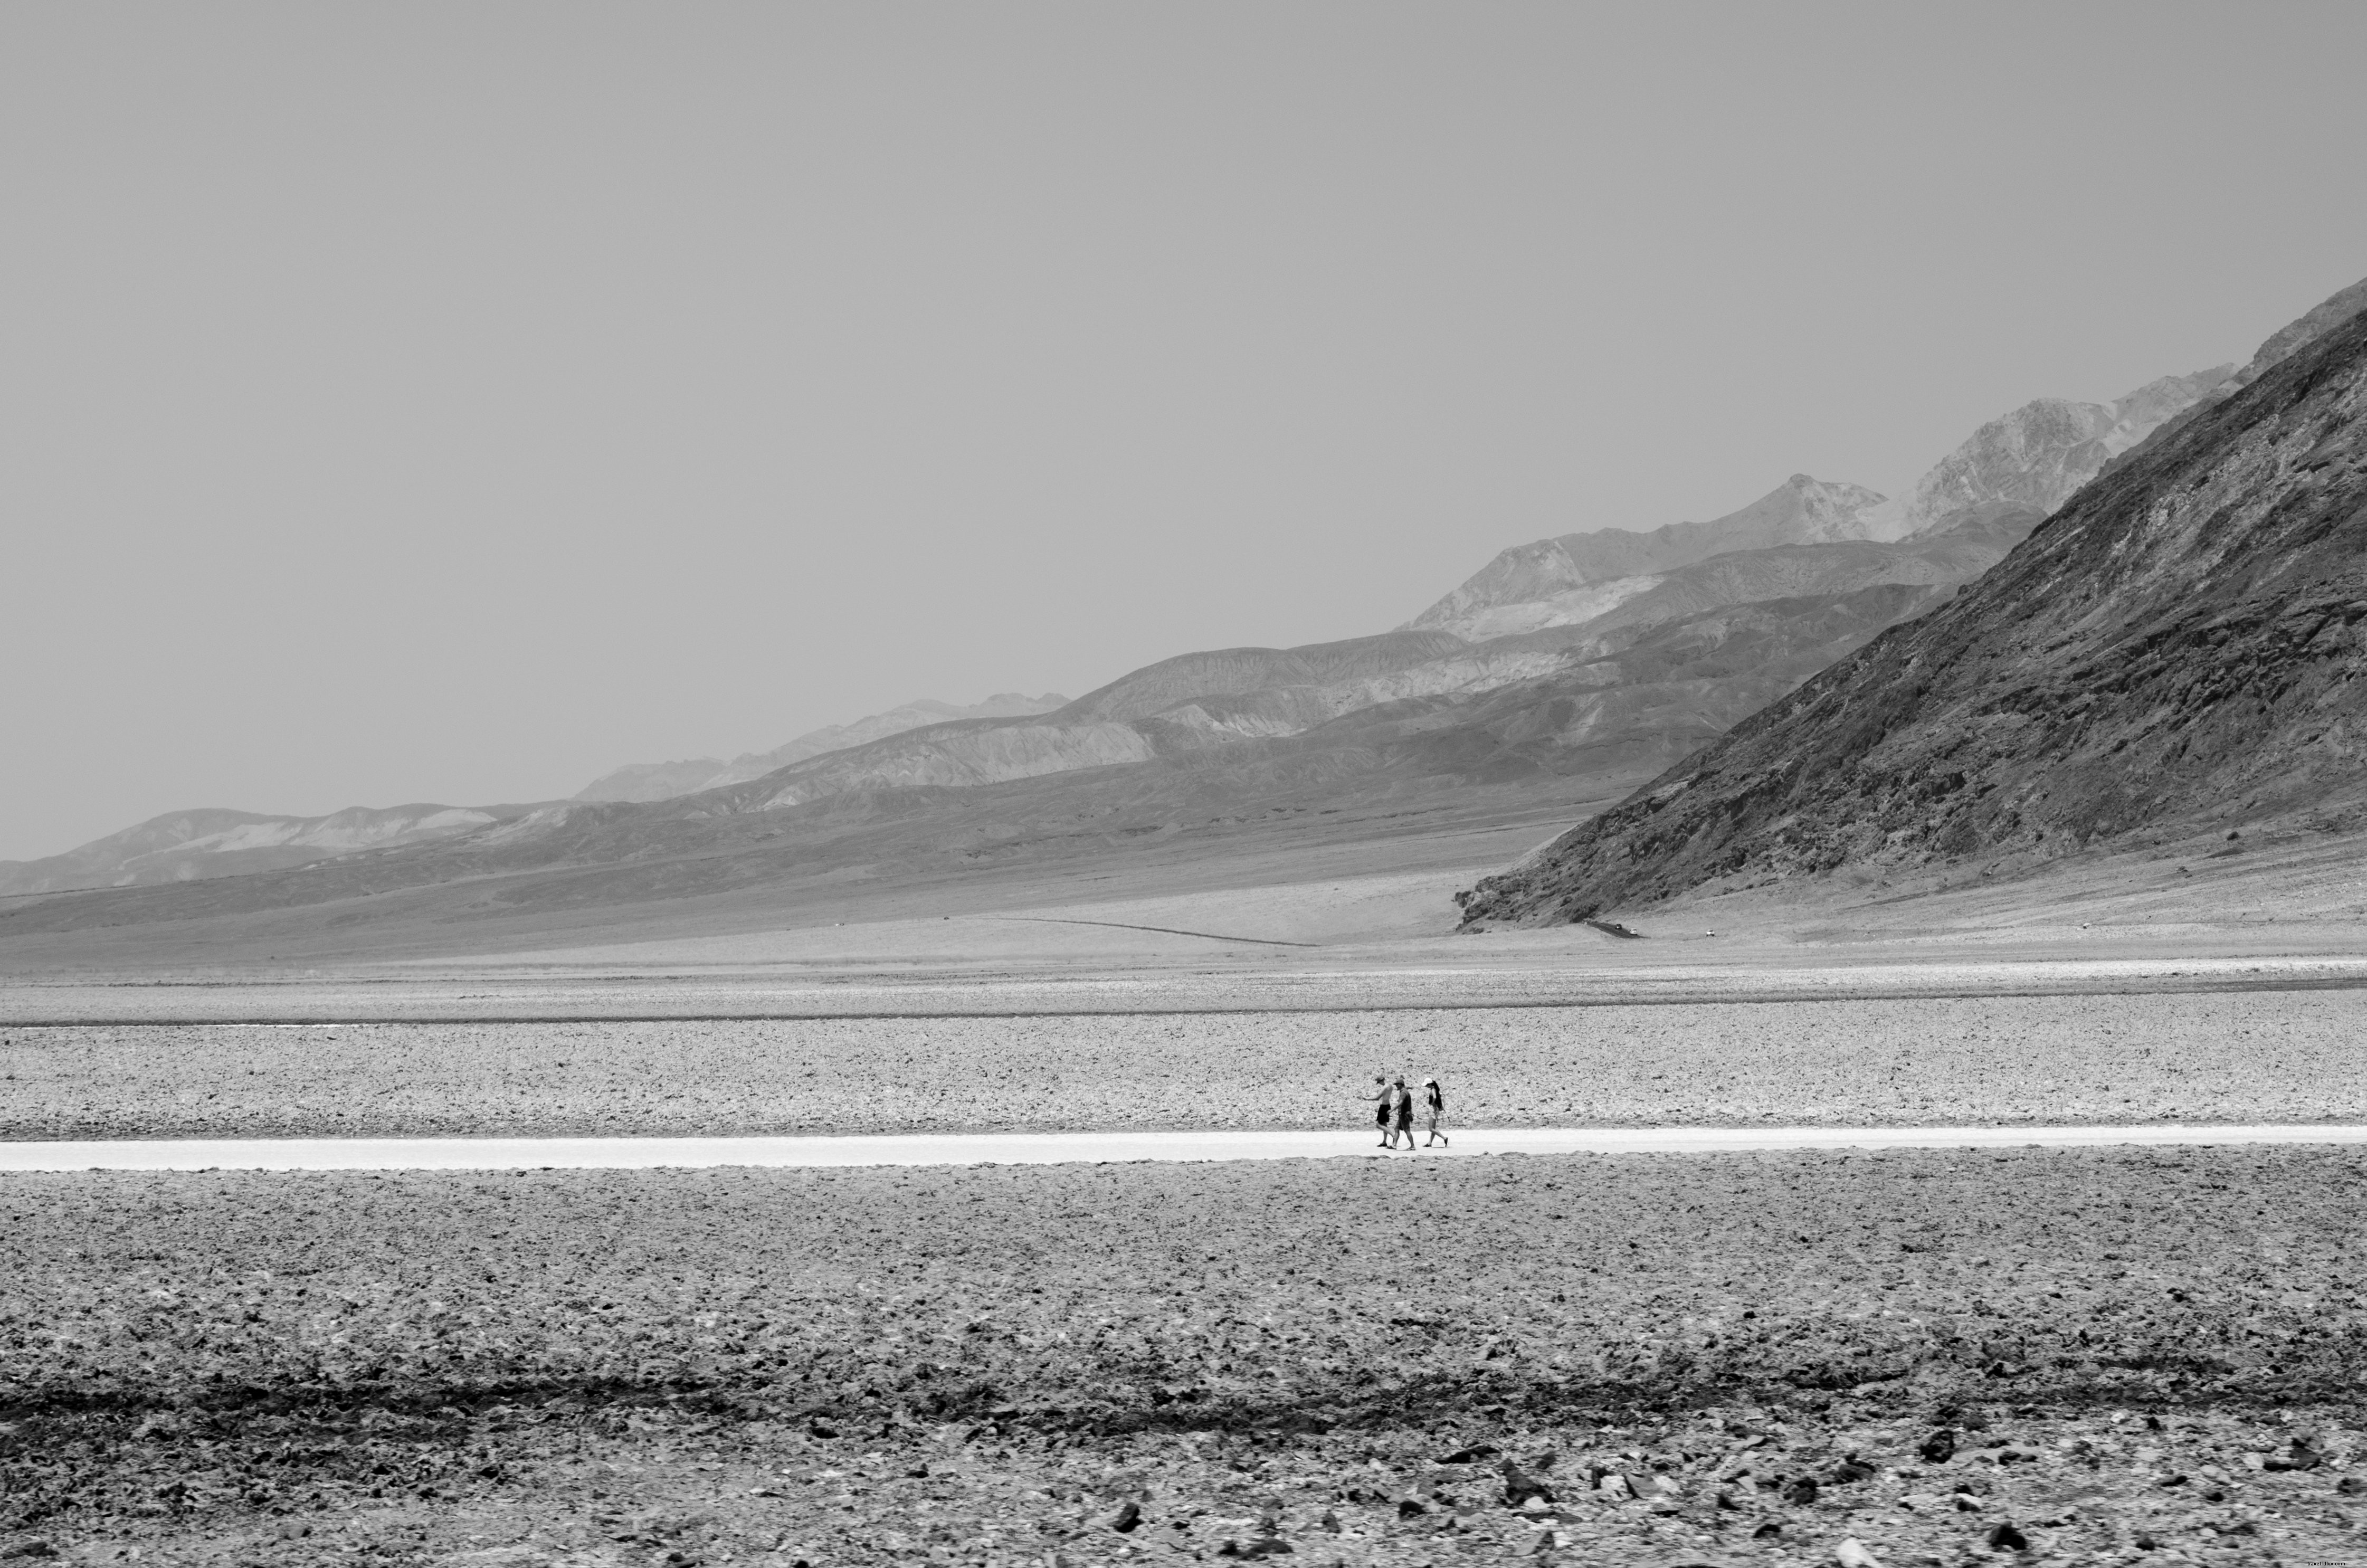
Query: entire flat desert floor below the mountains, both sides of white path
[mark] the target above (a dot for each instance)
(1940, 1356)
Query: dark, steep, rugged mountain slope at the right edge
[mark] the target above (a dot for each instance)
(2181, 650)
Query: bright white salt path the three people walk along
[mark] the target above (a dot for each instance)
(1066, 1148)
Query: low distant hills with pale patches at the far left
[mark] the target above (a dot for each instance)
(188, 844)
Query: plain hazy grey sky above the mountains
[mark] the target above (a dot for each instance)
(456, 401)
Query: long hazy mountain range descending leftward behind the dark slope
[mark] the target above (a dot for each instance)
(1575, 667)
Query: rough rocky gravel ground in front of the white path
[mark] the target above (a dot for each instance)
(2103, 1356)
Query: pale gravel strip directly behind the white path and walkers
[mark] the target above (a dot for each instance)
(2219, 1058)
